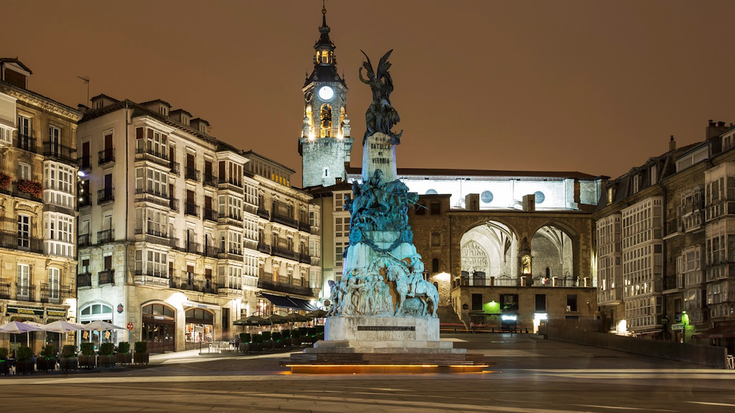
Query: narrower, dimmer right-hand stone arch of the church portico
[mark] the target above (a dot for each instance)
(552, 251)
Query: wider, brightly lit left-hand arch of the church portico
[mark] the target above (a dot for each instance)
(489, 255)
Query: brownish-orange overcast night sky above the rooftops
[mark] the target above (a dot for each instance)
(590, 86)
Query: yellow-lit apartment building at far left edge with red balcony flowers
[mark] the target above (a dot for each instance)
(38, 176)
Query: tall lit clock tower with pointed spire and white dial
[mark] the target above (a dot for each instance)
(325, 141)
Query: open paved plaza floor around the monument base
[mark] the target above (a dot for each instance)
(531, 375)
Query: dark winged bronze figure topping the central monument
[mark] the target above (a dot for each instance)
(380, 116)
